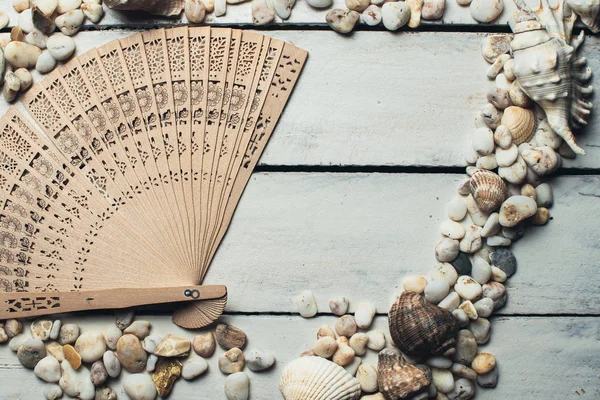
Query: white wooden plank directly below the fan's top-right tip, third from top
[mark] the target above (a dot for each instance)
(359, 235)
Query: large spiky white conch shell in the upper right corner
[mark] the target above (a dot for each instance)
(548, 70)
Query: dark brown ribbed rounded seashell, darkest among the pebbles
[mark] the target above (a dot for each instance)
(419, 328)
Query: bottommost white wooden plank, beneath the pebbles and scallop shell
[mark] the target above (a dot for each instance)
(538, 358)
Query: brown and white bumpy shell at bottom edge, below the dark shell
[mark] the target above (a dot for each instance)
(398, 379)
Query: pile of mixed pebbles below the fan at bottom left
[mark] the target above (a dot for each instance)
(80, 363)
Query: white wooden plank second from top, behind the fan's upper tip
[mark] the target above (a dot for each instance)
(381, 99)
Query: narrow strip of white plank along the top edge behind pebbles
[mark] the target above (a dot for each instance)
(302, 14)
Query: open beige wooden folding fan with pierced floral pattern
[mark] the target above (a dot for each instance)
(147, 145)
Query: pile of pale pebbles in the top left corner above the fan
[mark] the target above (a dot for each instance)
(40, 39)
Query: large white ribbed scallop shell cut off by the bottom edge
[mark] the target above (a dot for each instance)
(315, 378)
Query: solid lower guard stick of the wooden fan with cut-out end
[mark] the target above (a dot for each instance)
(29, 304)
